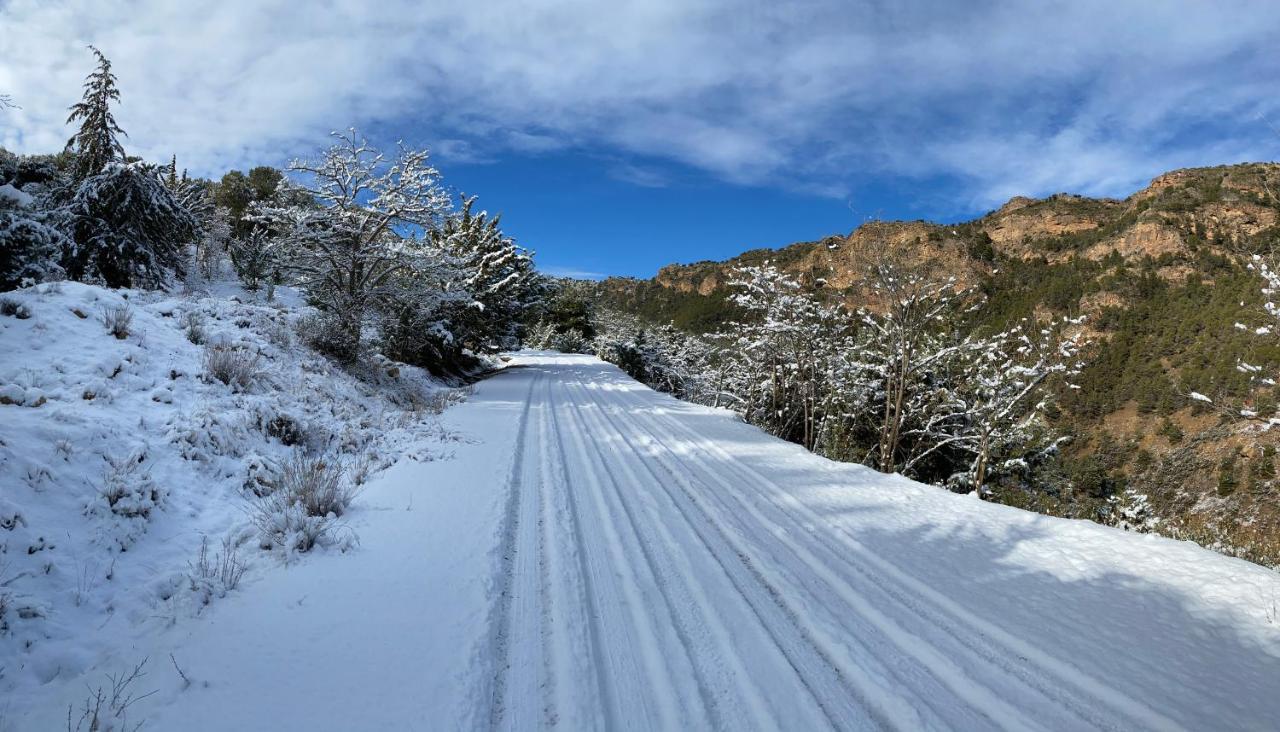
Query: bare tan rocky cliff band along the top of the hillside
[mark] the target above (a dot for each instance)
(1223, 208)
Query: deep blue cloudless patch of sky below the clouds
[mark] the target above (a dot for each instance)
(584, 218)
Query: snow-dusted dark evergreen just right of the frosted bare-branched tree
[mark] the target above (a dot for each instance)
(499, 274)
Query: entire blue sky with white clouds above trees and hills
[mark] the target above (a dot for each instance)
(616, 138)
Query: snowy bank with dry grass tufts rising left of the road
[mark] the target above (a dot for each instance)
(120, 457)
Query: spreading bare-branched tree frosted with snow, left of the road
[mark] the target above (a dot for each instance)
(363, 235)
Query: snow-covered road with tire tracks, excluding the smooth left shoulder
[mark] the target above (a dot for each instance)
(666, 568)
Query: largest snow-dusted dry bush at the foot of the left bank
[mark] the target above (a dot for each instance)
(310, 495)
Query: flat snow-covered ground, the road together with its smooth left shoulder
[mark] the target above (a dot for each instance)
(600, 556)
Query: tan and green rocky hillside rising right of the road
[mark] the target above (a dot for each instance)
(1160, 281)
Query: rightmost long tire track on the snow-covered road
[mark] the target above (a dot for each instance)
(981, 639)
